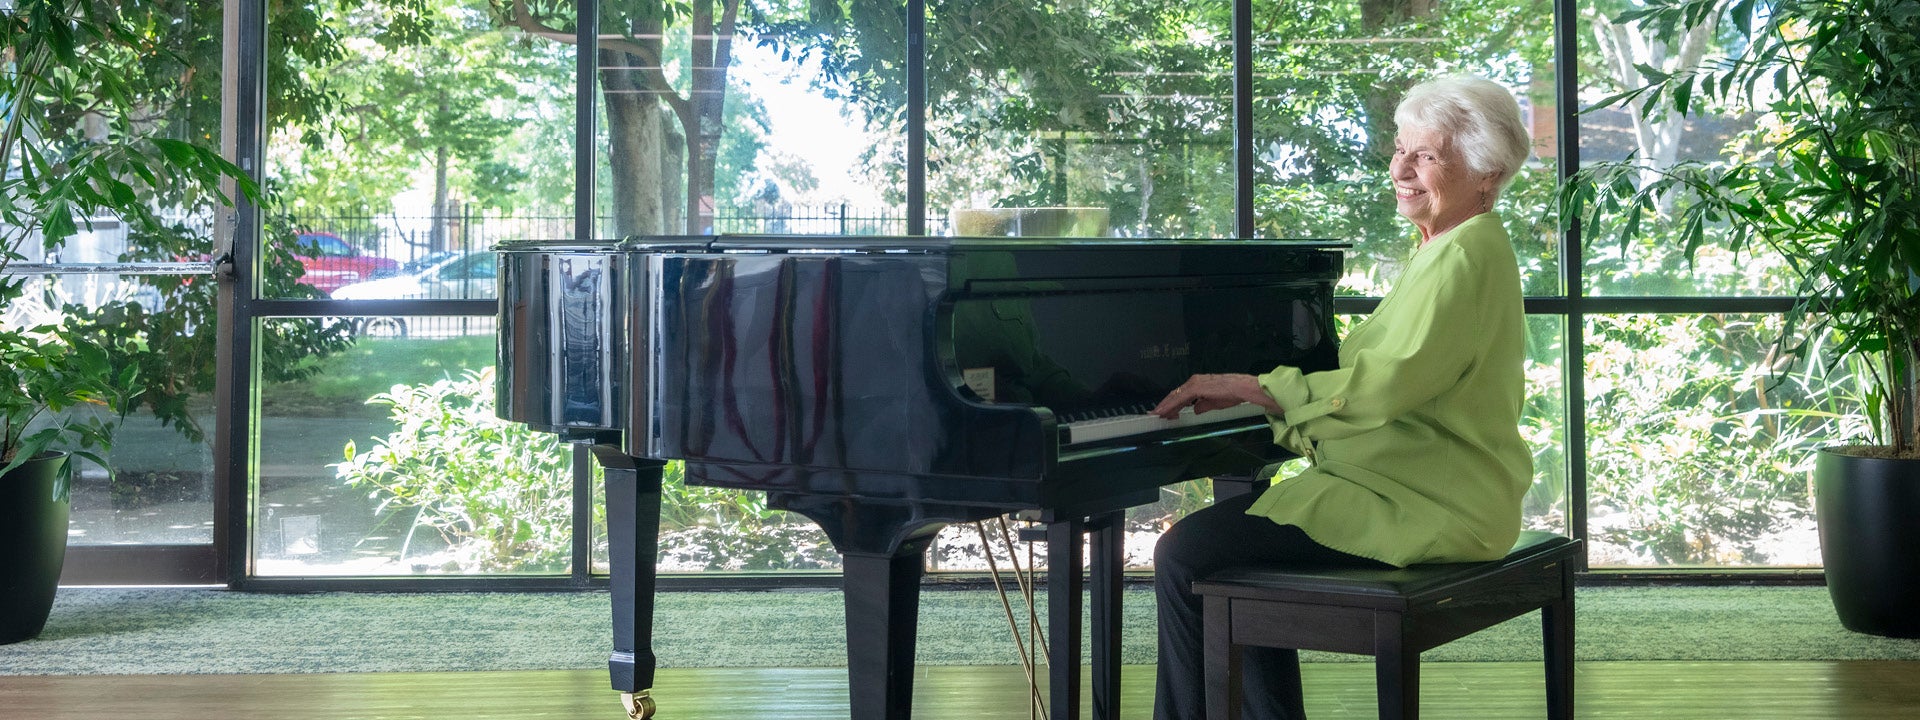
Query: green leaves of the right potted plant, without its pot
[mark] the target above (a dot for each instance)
(1829, 180)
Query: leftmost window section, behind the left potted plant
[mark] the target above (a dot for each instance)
(80, 130)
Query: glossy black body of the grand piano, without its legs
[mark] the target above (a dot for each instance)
(819, 364)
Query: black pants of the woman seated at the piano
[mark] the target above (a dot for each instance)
(1197, 546)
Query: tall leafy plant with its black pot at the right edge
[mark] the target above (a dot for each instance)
(1833, 185)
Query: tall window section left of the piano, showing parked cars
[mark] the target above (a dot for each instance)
(404, 141)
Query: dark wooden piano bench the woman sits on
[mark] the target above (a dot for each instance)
(1393, 615)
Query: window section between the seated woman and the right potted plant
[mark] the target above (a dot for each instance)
(1700, 429)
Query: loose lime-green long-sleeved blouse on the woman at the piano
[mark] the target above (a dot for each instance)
(1414, 439)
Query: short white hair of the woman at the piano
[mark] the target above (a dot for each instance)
(1481, 120)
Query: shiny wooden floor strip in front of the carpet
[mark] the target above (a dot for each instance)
(1861, 690)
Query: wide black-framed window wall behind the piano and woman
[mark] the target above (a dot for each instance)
(1664, 425)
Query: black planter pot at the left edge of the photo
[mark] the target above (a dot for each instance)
(34, 544)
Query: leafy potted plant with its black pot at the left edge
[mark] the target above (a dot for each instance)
(76, 143)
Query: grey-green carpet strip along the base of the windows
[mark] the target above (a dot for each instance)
(210, 631)
